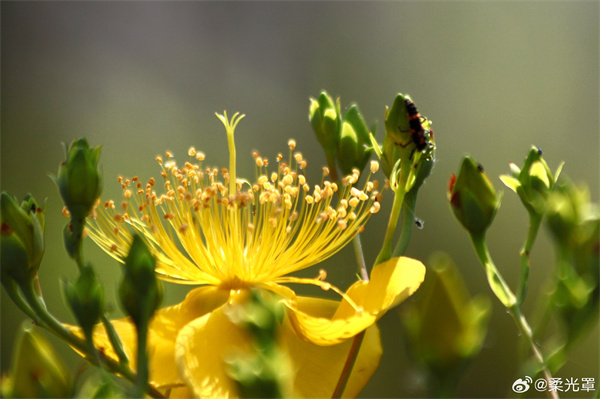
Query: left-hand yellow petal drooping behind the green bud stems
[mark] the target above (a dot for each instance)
(162, 334)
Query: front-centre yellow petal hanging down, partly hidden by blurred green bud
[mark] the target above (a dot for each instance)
(202, 347)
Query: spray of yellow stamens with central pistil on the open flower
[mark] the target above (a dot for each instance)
(209, 228)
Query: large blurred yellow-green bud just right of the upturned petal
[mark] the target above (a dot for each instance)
(445, 326)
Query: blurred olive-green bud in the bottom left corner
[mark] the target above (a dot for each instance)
(36, 370)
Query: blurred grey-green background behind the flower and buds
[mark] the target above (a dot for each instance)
(142, 77)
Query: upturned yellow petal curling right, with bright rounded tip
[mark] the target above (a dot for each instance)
(391, 283)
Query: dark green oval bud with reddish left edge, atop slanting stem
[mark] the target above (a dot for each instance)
(472, 197)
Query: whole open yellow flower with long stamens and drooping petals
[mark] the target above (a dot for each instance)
(228, 235)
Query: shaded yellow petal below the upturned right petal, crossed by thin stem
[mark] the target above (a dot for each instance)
(317, 369)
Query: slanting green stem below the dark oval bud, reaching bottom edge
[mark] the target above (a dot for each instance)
(506, 296)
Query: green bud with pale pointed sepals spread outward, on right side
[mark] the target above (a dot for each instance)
(533, 182)
